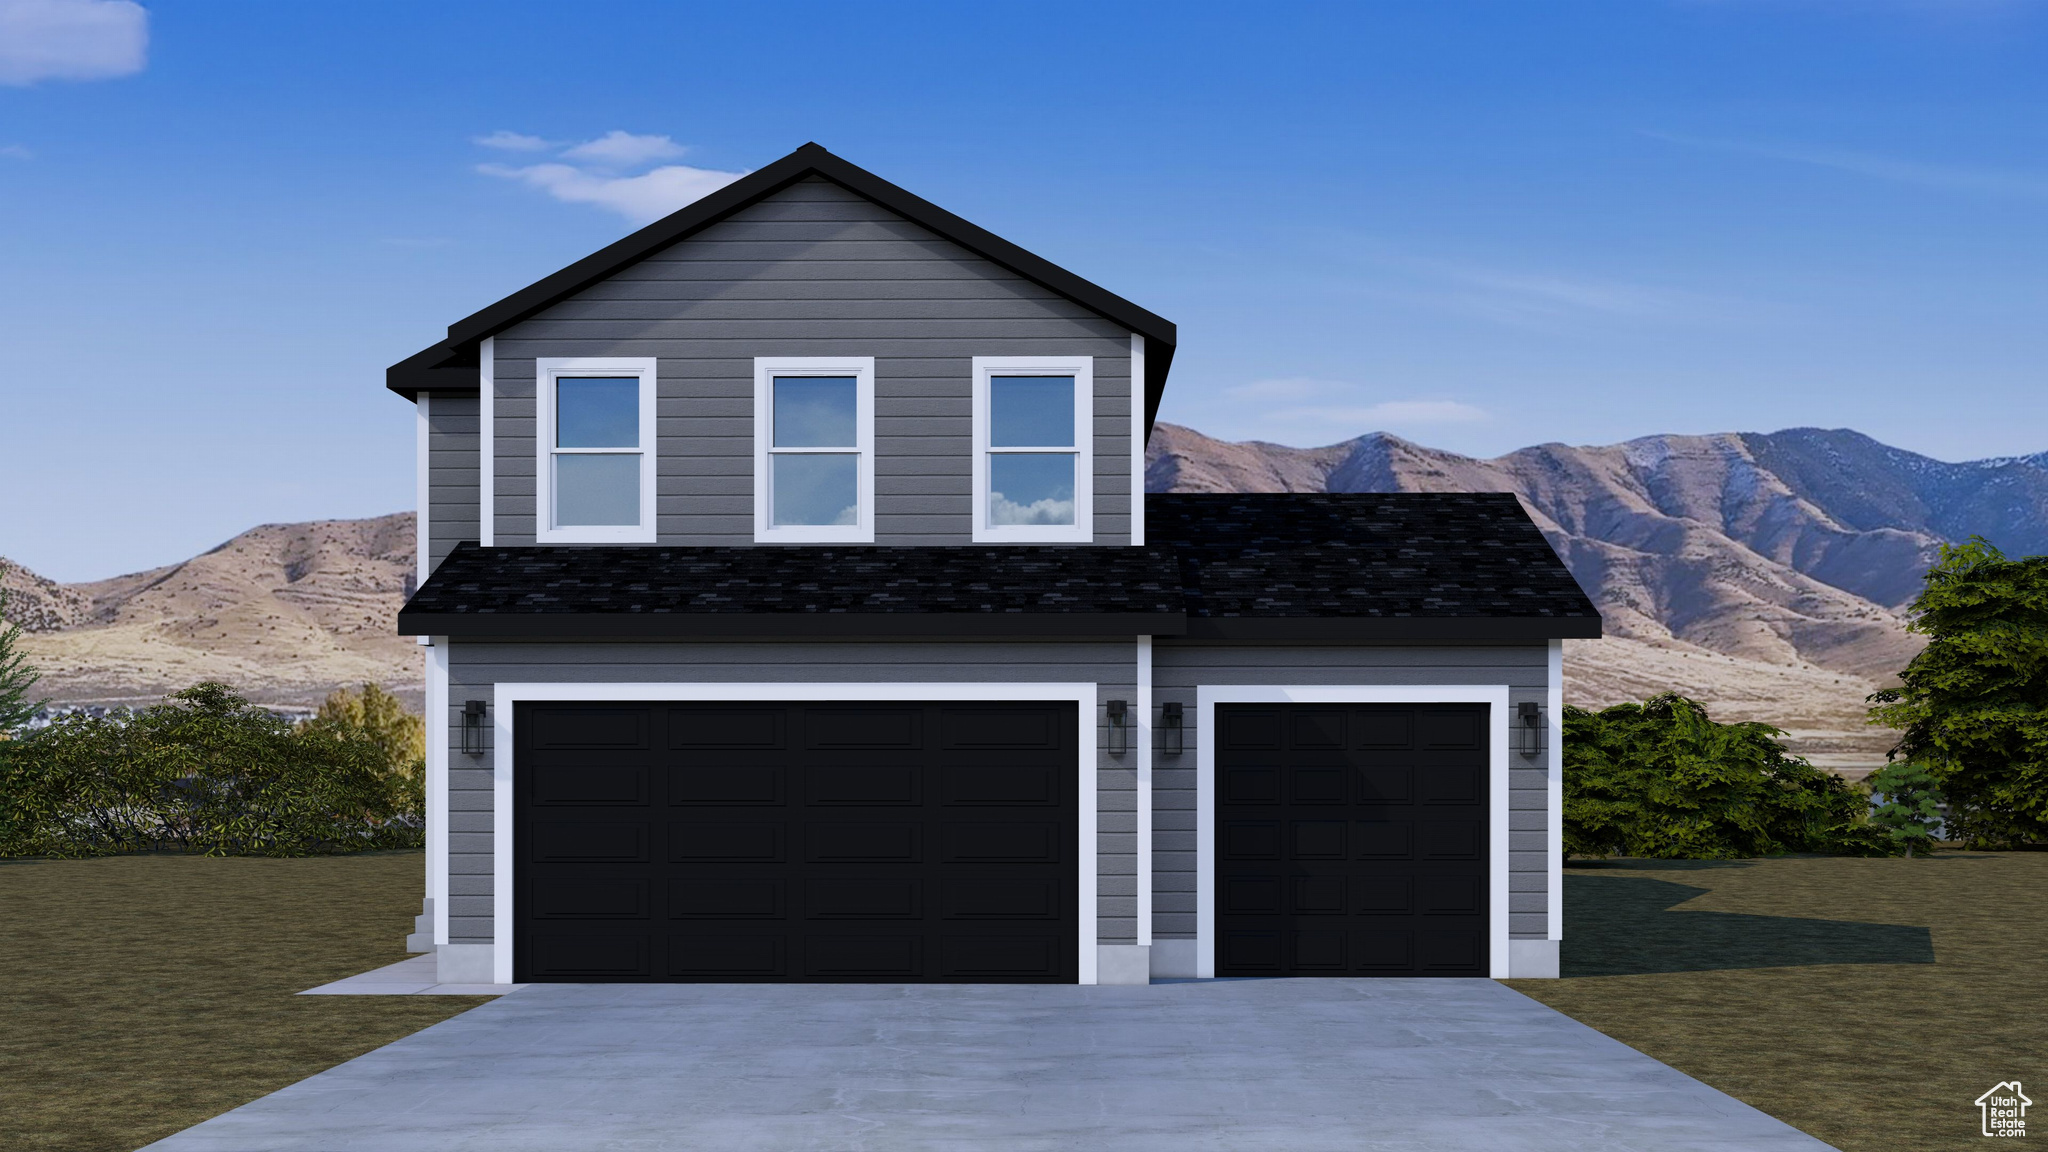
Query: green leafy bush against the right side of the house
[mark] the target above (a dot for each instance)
(1662, 780)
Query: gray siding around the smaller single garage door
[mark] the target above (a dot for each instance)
(1179, 669)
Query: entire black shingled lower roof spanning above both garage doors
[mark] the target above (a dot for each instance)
(1347, 569)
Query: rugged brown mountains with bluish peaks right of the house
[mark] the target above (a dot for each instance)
(1760, 573)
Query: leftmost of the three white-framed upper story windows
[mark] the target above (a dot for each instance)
(595, 436)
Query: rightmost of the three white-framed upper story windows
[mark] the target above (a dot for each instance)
(1035, 450)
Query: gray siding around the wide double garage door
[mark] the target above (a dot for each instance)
(474, 667)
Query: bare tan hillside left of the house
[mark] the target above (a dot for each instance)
(284, 612)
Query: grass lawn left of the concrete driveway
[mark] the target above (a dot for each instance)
(144, 995)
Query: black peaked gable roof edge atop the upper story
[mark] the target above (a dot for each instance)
(452, 364)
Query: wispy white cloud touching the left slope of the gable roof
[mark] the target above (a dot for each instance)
(595, 173)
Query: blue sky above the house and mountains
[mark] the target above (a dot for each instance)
(1478, 227)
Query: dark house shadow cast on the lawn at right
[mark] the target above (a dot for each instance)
(1629, 925)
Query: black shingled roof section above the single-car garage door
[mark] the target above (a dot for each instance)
(1377, 557)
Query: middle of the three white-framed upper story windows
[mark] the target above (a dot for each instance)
(814, 450)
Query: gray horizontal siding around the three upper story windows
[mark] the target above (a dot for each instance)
(812, 272)
